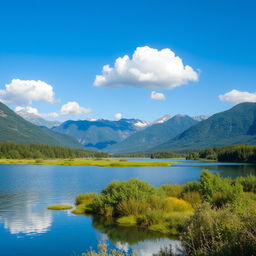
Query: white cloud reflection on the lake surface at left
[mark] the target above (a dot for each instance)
(18, 215)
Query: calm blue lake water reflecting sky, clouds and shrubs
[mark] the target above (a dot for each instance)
(28, 228)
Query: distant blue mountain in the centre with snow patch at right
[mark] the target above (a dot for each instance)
(100, 133)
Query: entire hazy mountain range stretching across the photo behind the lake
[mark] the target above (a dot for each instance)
(234, 126)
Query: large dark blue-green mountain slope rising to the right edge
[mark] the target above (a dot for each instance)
(234, 126)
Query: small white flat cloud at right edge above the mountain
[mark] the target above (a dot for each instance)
(236, 97)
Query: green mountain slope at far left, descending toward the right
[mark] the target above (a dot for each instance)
(14, 128)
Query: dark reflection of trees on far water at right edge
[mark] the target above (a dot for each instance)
(232, 171)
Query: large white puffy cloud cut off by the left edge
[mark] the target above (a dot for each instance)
(24, 92)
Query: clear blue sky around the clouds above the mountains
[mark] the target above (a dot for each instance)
(66, 43)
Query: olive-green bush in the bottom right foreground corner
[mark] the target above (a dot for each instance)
(220, 231)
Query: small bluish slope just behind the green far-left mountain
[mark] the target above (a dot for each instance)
(65, 140)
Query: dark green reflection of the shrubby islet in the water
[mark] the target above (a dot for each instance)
(124, 234)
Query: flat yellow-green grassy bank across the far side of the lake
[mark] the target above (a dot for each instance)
(104, 162)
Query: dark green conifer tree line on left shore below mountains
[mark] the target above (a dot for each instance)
(20, 151)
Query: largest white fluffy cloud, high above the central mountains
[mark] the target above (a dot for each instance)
(148, 68)
